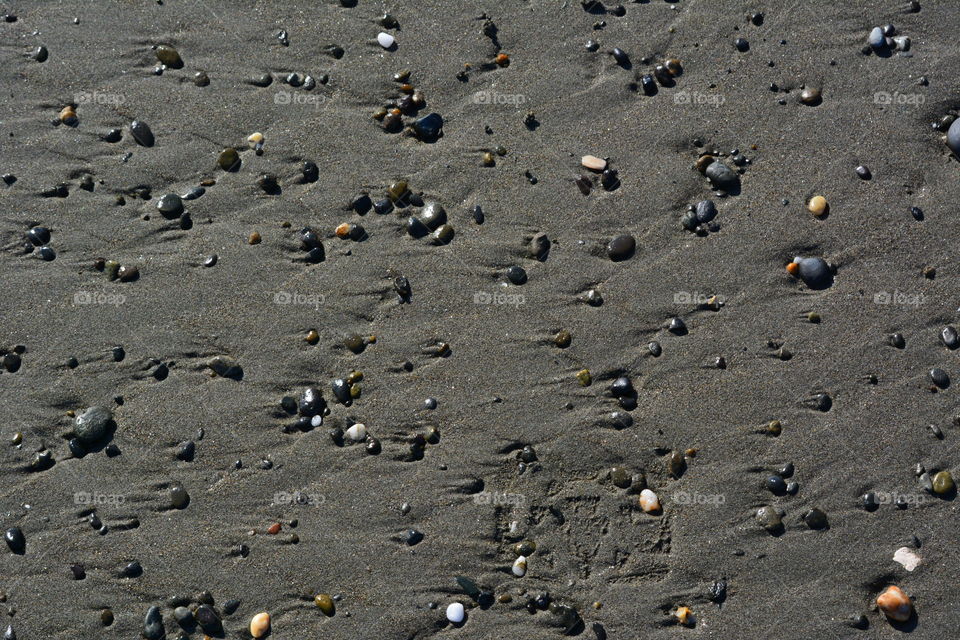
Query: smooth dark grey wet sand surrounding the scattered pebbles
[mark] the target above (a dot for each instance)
(504, 384)
